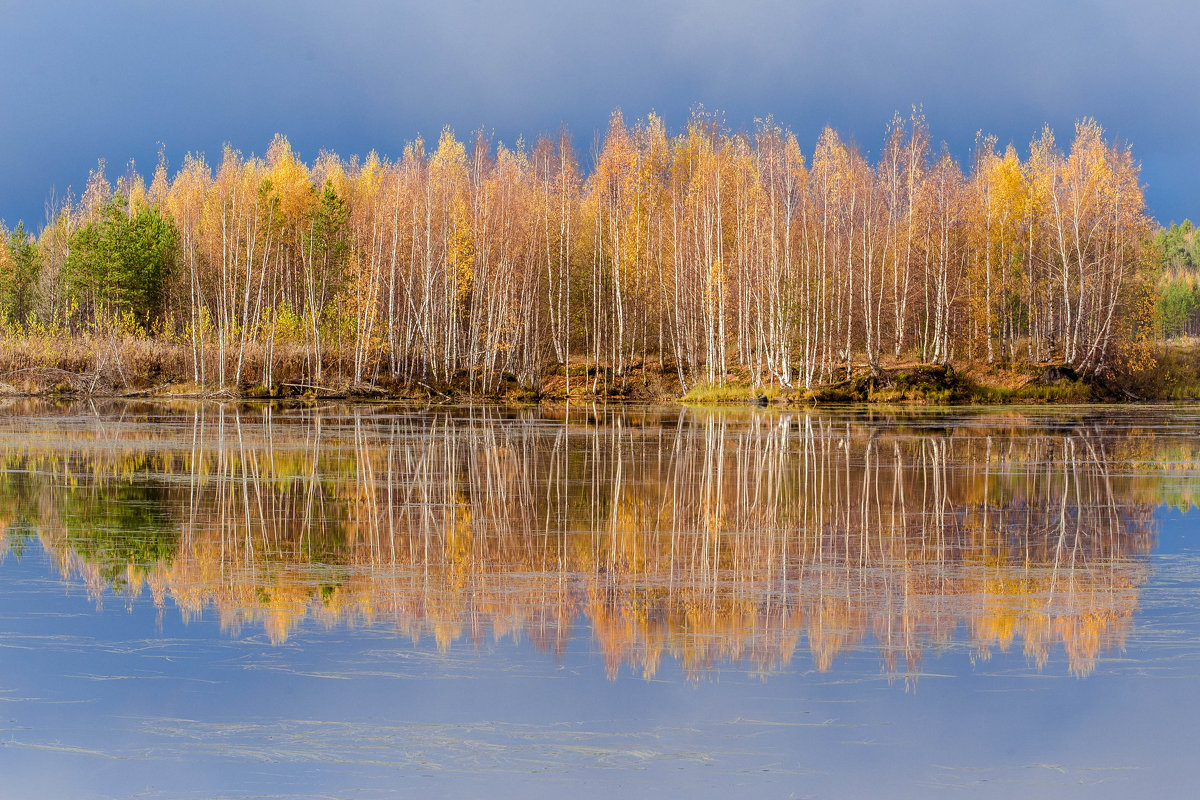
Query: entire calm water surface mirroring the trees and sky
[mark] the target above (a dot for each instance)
(203, 601)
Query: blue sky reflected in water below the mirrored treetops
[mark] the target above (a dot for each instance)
(130, 701)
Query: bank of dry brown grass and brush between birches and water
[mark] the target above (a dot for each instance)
(143, 368)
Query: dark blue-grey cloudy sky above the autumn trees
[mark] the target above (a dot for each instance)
(119, 80)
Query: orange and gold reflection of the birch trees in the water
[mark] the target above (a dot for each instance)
(704, 537)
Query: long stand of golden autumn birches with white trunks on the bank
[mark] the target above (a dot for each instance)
(704, 254)
